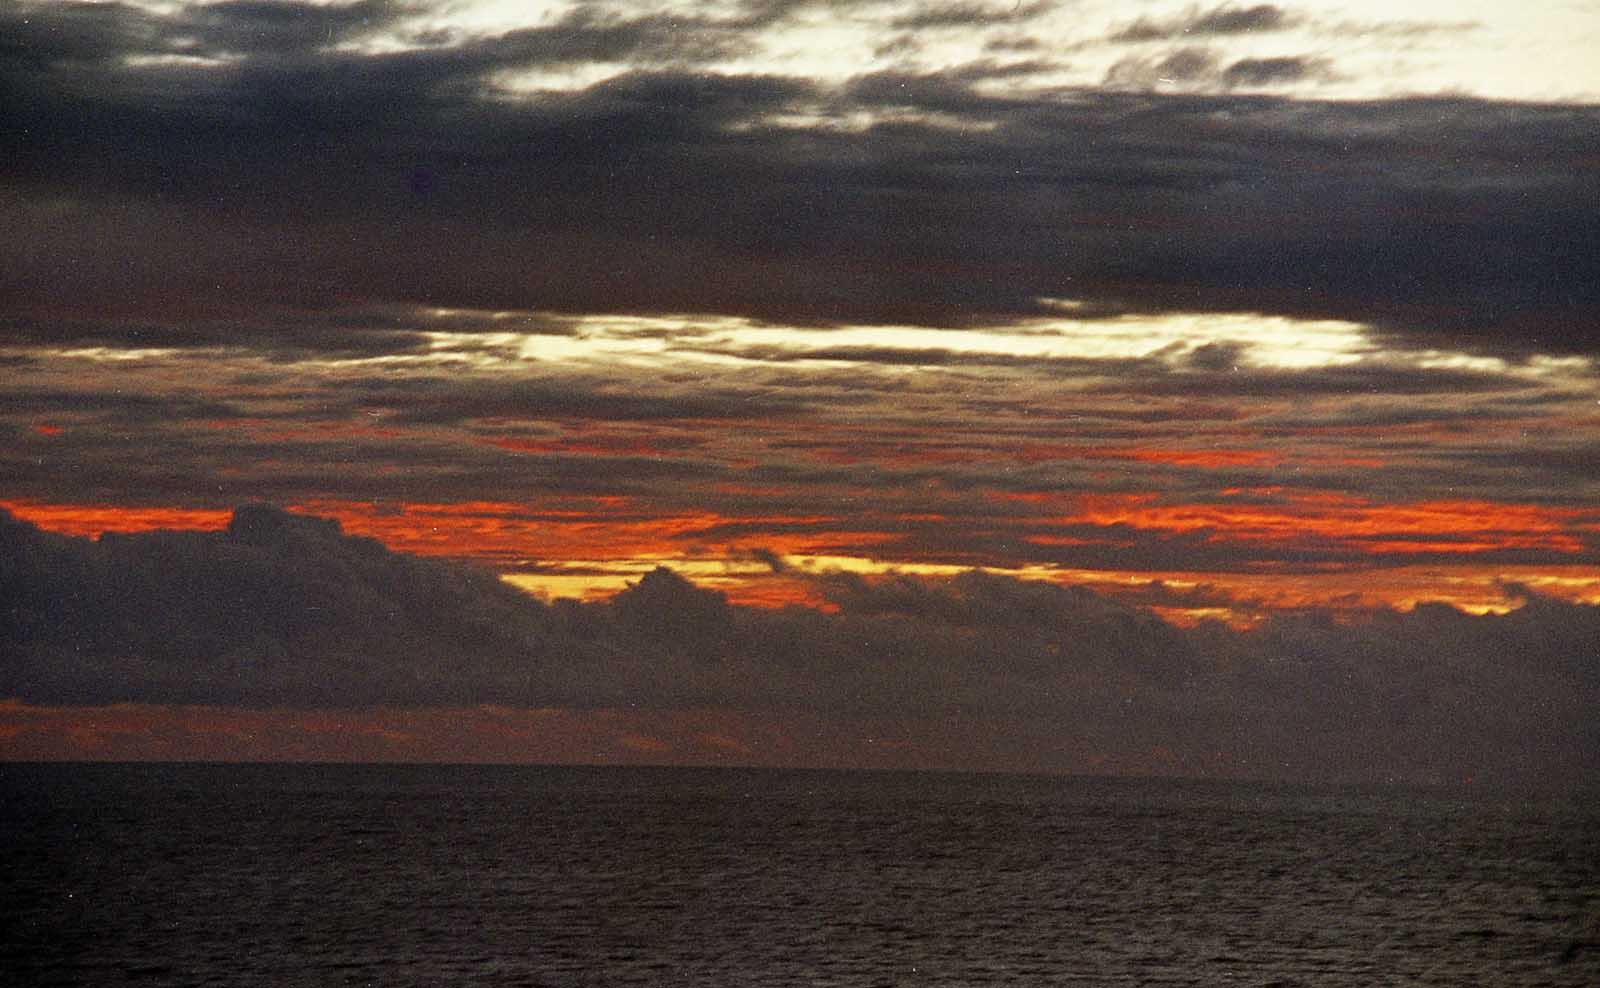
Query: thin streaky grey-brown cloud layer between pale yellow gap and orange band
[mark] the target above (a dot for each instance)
(194, 429)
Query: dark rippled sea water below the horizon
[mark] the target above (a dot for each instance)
(380, 875)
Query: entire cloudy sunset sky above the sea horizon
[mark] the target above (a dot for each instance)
(1103, 388)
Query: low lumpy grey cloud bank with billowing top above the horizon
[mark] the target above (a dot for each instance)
(287, 612)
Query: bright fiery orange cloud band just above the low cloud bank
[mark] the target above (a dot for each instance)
(614, 540)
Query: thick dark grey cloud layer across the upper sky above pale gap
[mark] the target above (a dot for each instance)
(311, 177)
